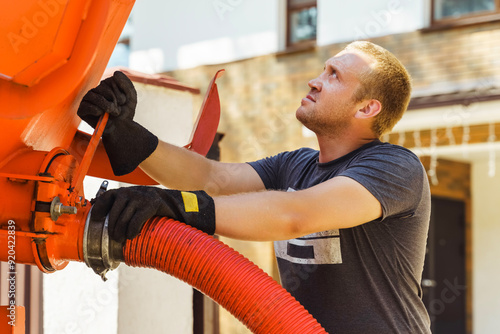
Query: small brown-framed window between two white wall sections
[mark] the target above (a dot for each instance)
(301, 22)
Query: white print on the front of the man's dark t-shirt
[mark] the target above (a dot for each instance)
(315, 248)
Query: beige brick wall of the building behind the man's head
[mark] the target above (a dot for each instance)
(259, 95)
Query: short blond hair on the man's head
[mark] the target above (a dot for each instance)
(388, 82)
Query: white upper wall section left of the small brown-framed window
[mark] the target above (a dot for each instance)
(182, 34)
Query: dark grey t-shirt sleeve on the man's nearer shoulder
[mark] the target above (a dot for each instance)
(393, 175)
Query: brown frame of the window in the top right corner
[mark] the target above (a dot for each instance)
(469, 19)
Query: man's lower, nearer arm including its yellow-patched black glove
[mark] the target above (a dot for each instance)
(340, 202)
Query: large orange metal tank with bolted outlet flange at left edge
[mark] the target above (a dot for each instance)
(55, 51)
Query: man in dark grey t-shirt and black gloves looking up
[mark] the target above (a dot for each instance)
(350, 220)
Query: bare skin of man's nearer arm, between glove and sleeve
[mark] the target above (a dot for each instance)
(339, 202)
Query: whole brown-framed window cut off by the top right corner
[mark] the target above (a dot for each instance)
(448, 13)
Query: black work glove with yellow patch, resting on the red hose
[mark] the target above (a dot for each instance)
(129, 208)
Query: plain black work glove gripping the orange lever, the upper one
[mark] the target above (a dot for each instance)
(127, 143)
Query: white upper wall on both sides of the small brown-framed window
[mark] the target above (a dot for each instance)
(173, 35)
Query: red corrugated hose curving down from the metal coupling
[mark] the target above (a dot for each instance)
(221, 273)
